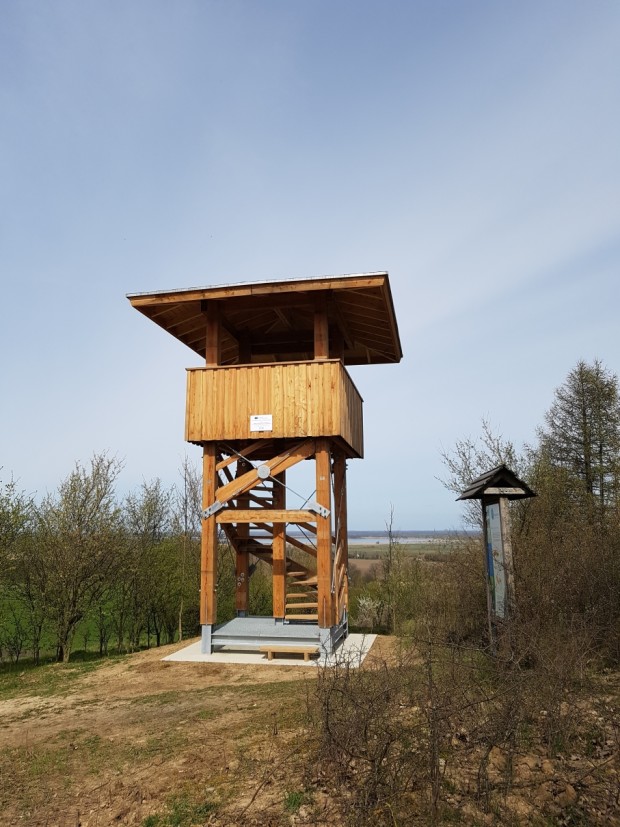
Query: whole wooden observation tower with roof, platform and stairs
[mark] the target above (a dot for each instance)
(274, 391)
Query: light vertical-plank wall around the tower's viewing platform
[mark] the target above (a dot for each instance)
(315, 398)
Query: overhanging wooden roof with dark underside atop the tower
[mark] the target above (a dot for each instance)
(277, 317)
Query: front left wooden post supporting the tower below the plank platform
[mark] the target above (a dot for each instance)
(208, 550)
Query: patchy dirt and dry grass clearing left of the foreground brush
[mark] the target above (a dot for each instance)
(135, 737)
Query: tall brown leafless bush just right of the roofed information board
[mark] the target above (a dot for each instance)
(567, 573)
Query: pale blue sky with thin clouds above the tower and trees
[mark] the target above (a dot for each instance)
(469, 148)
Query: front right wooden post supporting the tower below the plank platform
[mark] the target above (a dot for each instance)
(324, 534)
